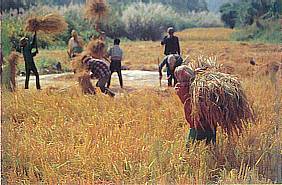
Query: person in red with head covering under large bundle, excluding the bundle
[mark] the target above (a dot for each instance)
(199, 128)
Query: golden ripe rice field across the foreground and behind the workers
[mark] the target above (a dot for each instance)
(65, 137)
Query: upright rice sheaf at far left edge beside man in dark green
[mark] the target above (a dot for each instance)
(9, 71)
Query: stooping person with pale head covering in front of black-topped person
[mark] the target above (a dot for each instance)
(171, 62)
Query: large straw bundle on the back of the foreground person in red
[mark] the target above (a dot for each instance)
(218, 98)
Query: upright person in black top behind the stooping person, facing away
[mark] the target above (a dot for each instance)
(171, 43)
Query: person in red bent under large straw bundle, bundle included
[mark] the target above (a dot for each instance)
(211, 99)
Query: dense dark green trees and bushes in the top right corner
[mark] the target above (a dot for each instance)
(258, 19)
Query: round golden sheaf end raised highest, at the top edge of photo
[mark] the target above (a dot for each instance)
(96, 9)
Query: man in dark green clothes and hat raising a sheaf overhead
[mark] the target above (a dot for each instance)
(28, 55)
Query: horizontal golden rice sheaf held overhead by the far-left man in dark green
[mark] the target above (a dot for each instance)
(51, 23)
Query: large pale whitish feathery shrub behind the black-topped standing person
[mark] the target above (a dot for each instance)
(149, 21)
